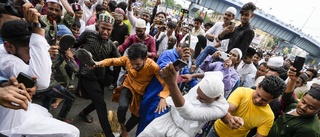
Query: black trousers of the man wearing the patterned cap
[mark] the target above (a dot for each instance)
(95, 90)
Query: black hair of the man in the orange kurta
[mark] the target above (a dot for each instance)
(137, 50)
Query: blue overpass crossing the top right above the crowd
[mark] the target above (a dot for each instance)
(269, 24)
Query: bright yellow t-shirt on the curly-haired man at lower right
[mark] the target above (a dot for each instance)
(254, 116)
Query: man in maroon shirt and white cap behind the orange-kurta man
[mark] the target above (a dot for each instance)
(141, 37)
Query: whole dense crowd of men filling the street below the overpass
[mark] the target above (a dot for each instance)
(226, 87)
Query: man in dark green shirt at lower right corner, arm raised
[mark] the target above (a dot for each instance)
(300, 118)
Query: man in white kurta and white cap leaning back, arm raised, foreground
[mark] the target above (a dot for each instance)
(204, 102)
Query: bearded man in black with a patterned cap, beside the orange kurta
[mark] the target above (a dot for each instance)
(92, 82)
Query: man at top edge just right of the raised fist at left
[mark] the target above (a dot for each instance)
(54, 13)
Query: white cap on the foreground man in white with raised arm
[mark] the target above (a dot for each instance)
(211, 84)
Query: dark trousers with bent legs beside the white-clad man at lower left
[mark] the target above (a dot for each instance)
(59, 92)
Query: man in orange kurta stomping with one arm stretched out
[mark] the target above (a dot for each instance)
(141, 70)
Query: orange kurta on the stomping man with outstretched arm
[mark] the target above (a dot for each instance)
(137, 81)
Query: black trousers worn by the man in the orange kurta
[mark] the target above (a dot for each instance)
(124, 102)
